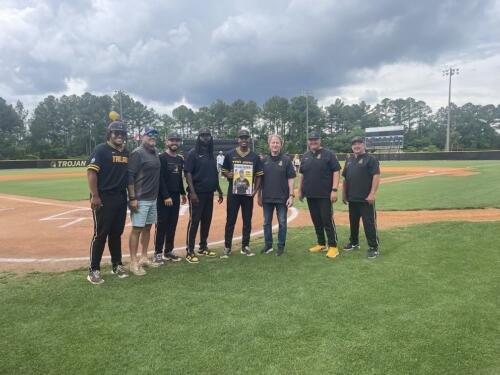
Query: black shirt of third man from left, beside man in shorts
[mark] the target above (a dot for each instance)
(171, 175)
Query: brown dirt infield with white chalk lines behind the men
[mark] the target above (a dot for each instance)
(47, 235)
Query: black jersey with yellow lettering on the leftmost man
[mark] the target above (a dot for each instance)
(110, 164)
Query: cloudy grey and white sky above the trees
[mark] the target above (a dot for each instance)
(168, 52)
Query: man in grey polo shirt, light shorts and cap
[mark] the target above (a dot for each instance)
(143, 186)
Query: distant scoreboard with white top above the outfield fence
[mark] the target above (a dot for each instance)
(385, 138)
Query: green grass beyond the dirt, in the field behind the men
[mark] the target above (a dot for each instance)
(436, 192)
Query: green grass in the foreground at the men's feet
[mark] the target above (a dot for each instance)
(428, 305)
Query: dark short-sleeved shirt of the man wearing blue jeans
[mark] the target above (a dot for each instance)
(277, 171)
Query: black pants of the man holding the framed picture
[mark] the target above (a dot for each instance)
(234, 202)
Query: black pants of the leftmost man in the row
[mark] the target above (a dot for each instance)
(109, 222)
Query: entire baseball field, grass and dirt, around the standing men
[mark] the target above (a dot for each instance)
(428, 305)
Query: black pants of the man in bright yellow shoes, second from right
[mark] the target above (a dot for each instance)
(321, 211)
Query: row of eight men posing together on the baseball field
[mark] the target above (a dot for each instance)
(152, 186)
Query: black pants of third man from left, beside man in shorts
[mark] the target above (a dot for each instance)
(168, 216)
